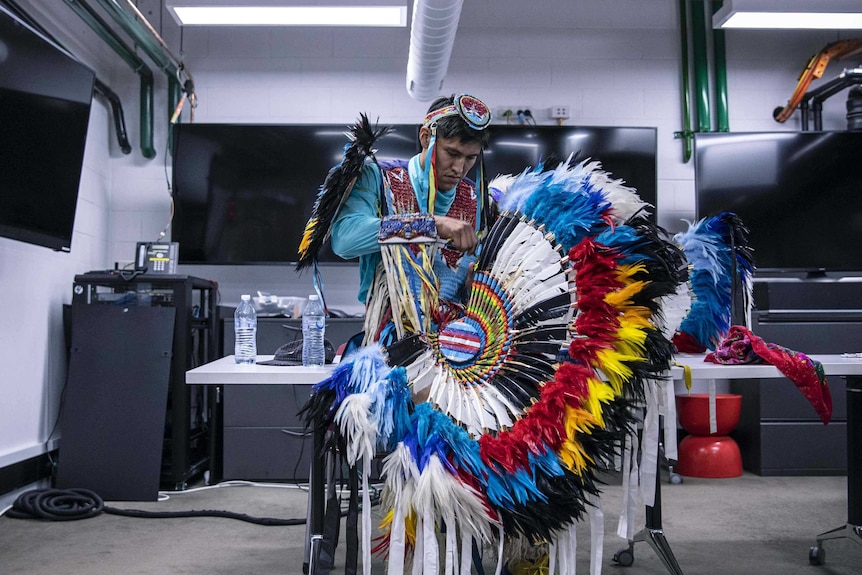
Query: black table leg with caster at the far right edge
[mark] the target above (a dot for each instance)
(853, 528)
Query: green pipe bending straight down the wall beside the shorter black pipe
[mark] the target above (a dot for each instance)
(101, 28)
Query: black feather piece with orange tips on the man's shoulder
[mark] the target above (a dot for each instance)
(334, 191)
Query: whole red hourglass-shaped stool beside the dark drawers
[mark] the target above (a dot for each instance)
(705, 454)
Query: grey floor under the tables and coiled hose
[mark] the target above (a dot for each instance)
(749, 524)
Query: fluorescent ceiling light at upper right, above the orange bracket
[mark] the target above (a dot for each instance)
(790, 14)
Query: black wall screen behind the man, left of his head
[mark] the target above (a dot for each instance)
(243, 193)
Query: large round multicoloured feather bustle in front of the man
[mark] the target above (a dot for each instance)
(496, 422)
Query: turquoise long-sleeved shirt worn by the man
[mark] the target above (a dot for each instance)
(354, 233)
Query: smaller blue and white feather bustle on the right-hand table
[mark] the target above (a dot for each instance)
(720, 265)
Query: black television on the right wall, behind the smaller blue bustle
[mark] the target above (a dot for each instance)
(799, 193)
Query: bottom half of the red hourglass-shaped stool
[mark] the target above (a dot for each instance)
(712, 456)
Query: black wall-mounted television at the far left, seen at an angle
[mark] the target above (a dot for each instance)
(45, 98)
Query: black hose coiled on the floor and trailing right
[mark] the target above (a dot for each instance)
(74, 504)
